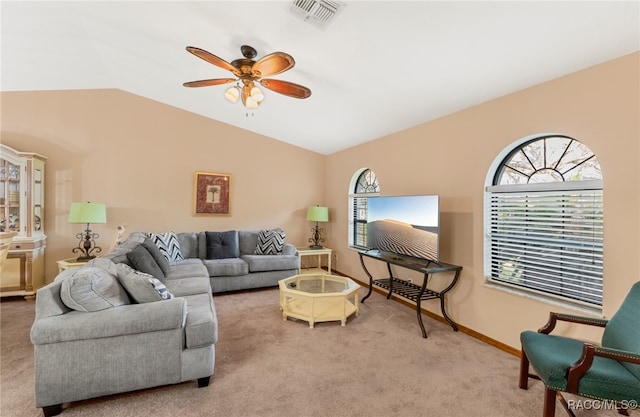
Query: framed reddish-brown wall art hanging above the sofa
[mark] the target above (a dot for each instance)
(212, 193)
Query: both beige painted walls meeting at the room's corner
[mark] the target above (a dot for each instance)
(138, 157)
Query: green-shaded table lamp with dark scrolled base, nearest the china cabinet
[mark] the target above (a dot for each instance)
(87, 213)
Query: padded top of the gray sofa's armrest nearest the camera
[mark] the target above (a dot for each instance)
(123, 320)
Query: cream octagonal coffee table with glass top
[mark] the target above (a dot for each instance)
(318, 297)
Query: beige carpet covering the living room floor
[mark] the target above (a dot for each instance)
(377, 365)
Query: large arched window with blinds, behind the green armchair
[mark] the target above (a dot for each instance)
(544, 220)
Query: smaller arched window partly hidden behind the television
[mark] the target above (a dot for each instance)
(364, 184)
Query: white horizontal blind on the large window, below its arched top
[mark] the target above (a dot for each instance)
(547, 240)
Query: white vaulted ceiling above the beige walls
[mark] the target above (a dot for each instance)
(378, 68)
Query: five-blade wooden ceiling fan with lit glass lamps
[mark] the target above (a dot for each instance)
(249, 72)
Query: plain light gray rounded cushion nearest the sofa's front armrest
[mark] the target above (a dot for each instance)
(92, 289)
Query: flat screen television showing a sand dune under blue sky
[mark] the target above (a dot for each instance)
(405, 225)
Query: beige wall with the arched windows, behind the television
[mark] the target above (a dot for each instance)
(452, 156)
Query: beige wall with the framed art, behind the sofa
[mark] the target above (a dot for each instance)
(139, 156)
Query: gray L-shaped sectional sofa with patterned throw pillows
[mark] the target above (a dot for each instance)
(143, 315)
